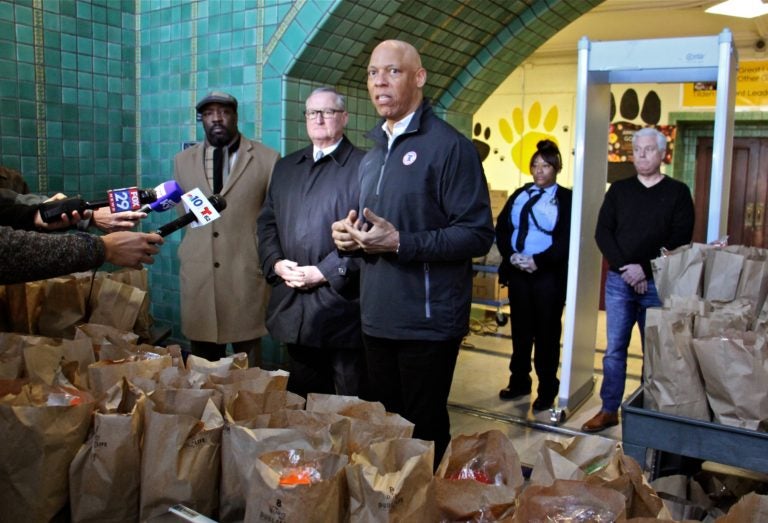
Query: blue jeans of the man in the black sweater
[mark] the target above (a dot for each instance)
(623, 308)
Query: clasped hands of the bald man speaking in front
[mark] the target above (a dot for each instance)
(373, 234)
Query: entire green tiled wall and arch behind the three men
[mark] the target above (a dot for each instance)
(96, 94)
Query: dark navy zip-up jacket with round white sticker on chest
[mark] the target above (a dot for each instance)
(431, 186)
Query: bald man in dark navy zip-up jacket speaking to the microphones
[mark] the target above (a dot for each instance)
(424, 213)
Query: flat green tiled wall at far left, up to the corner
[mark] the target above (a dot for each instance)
(66, 95)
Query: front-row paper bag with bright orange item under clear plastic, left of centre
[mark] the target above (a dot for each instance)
(298, 485)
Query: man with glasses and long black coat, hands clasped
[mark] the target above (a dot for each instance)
(314, 307)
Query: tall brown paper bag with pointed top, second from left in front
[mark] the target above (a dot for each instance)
(104, 475)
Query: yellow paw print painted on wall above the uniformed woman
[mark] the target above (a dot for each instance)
(525, 147)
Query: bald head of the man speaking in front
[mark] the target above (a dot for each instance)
(395, 80)
